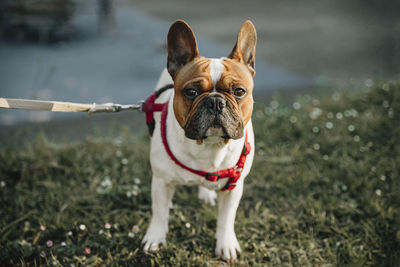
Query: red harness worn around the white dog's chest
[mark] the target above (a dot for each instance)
(149, 107)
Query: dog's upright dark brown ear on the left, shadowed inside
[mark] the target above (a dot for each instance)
(182, 46)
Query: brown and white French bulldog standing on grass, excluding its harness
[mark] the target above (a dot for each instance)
(209, 114)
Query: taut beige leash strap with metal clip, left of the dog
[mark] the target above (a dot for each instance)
(56, 106)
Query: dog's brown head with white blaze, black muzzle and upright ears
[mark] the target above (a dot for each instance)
(213, 97)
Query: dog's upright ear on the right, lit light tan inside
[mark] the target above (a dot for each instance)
(244, 50)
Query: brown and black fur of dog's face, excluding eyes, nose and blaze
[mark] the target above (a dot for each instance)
(192, 114)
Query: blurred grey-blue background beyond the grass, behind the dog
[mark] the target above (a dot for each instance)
(113, 51)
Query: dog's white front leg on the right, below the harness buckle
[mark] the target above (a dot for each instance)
(227, 244)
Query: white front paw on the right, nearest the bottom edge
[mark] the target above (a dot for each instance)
(228, 247)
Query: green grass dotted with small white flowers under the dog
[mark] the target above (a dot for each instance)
(324, 191)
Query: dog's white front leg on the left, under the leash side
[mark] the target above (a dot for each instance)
(161, 197)
